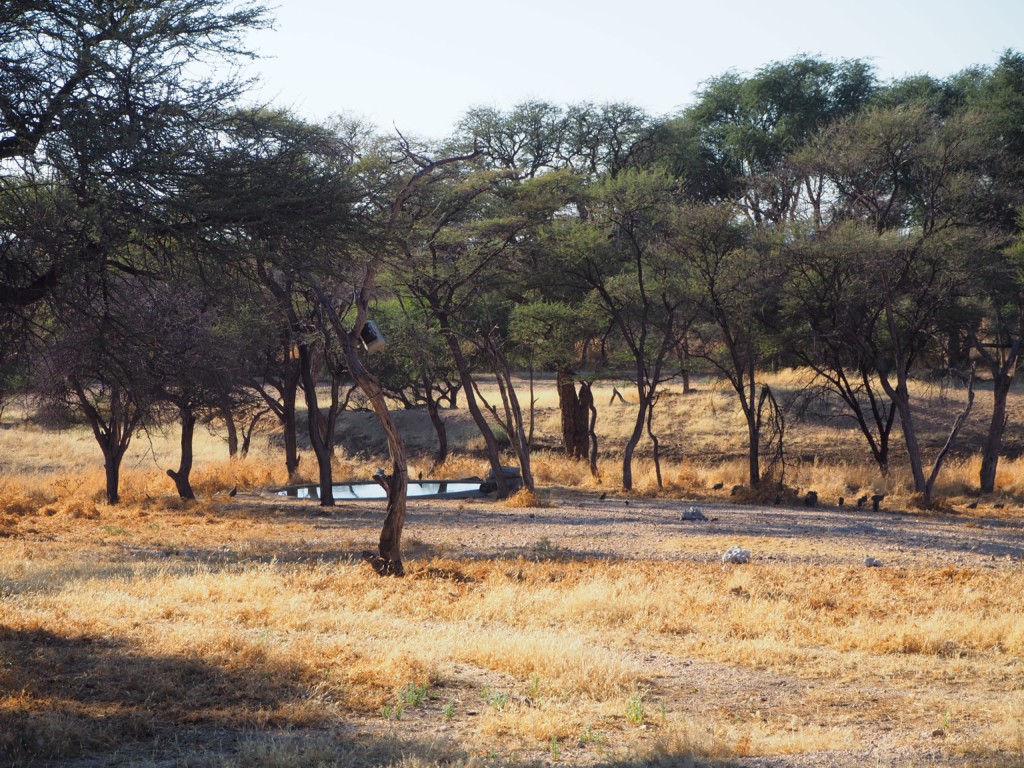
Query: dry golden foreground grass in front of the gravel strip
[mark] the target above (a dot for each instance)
(527, 653)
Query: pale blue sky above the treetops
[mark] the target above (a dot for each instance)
(420, 66)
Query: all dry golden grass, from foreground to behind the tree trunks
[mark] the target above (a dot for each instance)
(143, 634)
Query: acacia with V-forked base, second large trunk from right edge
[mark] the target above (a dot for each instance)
(908, 179)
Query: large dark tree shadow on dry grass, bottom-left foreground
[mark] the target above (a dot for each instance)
(67, 698)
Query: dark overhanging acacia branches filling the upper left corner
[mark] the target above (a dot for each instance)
(105, 97)
